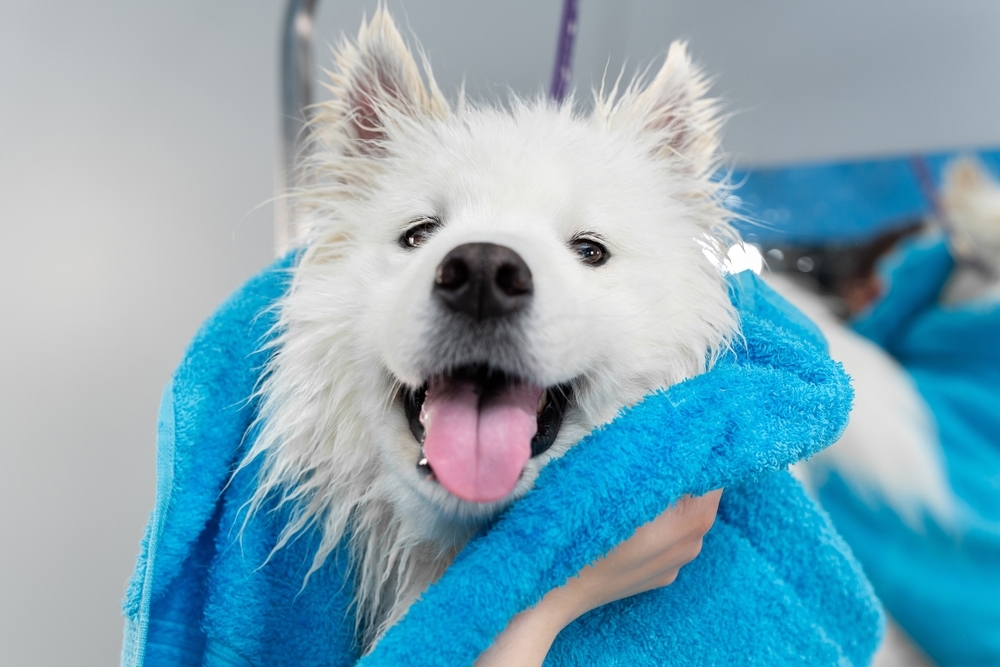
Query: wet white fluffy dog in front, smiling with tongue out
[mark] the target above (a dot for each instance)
(478, 288)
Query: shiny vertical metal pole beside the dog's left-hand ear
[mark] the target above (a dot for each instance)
(296, 96)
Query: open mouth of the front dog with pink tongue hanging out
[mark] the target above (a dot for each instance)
(479, 426)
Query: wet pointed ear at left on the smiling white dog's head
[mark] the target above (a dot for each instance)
(377, 83)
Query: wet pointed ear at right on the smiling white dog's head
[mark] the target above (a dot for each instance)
(673, 112)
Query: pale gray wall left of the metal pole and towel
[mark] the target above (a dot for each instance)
(135, 141)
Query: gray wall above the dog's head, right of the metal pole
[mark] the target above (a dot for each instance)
(805, 80)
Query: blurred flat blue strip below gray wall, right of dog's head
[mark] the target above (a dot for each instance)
(844, 202)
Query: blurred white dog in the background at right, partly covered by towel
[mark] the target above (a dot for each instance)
(890, 450)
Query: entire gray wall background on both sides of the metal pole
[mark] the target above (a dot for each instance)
(137, 144)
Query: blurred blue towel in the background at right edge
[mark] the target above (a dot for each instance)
(942, 584)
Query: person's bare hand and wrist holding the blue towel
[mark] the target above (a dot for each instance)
(649, 559)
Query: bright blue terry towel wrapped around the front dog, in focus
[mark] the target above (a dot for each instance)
(774, 585)
